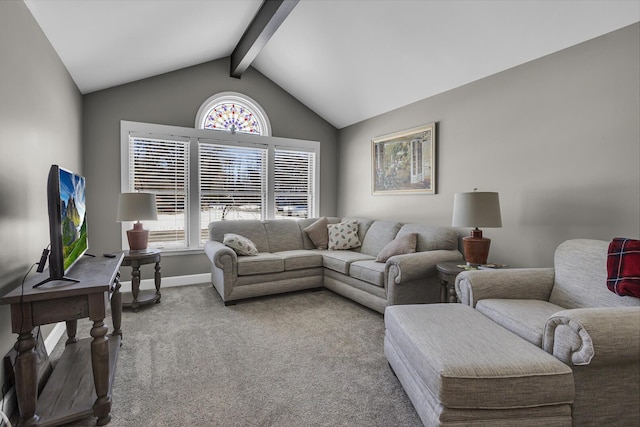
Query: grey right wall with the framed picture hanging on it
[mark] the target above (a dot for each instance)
(558, 138)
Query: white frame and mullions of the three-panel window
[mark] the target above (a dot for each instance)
(150, 130)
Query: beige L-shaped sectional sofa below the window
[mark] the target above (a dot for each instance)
(288, 260)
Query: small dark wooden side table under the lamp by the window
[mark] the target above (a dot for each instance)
(135, 259)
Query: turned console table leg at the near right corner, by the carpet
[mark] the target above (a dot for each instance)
(100, 365)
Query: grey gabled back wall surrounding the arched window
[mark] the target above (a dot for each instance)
(174, 99)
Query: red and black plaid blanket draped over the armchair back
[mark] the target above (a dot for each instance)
(623, 267)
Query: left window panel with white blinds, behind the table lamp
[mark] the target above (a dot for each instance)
(161, 166)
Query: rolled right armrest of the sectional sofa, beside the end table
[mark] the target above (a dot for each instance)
(408, 267)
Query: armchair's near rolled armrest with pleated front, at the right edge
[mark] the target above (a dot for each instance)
(594, 336)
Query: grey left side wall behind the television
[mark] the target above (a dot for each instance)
(40, 120)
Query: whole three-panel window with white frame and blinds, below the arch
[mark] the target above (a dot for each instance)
(200, 176)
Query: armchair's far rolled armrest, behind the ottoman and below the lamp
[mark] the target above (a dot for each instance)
(517, 283)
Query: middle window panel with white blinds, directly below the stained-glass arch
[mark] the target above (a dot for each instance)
(233, 183)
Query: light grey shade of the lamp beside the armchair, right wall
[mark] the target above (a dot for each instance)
(476, 209)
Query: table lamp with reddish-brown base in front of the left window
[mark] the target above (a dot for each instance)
(137, 207)
